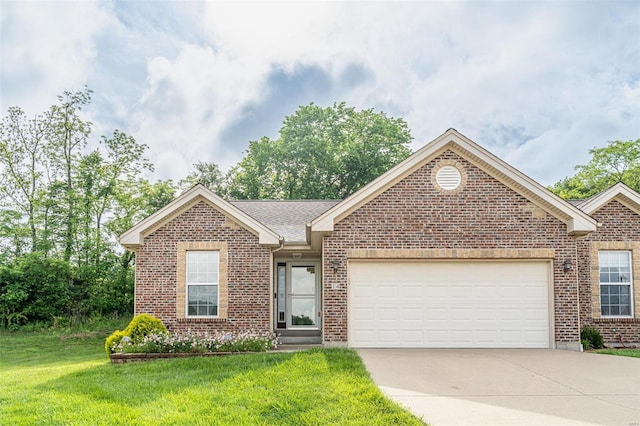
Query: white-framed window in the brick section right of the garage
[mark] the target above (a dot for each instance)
(615, 283)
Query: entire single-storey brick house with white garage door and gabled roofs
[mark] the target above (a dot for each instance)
(451, 248)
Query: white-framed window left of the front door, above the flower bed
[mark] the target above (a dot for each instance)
(202, 283)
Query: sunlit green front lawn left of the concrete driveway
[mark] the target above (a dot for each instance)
(52, 379)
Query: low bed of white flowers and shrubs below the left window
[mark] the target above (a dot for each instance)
(165, 345)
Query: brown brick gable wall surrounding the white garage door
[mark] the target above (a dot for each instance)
(414, 214)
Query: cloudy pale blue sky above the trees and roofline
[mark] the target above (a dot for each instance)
(536, 83)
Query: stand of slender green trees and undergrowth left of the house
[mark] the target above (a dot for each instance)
(61, 211)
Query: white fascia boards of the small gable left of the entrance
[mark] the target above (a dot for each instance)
(133, 237)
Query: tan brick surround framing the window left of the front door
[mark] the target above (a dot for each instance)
(181, 279)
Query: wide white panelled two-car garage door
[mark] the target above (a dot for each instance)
(449, 304)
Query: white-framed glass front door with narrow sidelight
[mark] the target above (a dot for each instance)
(297, 295)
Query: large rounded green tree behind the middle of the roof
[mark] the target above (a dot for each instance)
(322, 153)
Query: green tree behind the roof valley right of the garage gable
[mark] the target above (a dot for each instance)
(619, 161)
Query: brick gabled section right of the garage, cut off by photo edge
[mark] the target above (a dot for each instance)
(616, 246)
